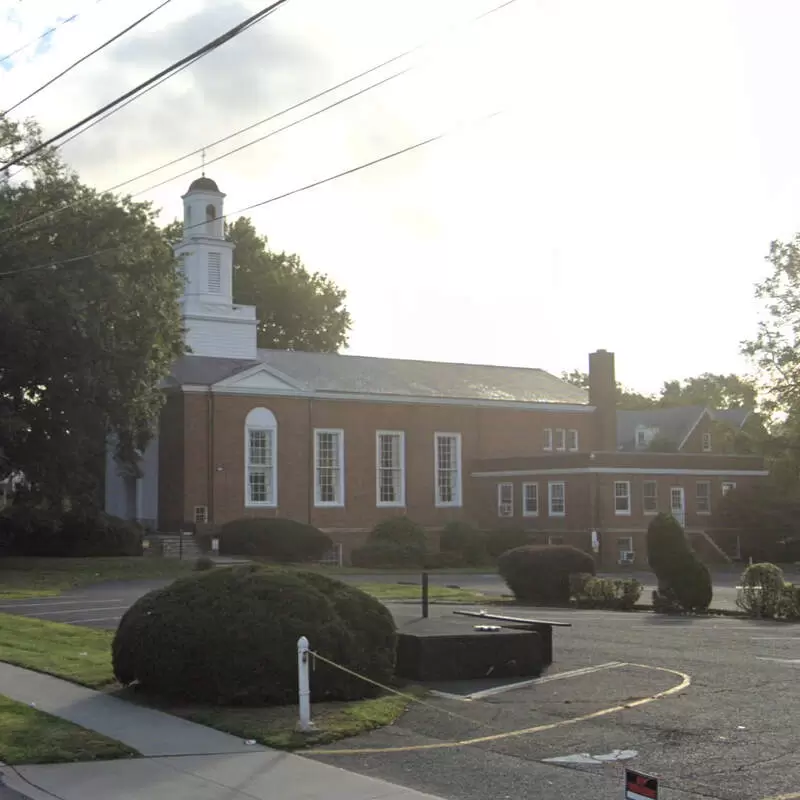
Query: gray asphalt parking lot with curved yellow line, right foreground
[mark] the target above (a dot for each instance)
(727, 727)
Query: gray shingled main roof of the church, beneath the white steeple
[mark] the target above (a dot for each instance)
(346, 374)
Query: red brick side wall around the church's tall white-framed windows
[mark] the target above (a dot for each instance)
(484, 432)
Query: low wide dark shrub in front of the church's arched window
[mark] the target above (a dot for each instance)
(276, 539)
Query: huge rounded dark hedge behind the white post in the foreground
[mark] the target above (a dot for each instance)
(229, 636)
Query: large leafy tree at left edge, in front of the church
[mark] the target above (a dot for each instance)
(85, 343)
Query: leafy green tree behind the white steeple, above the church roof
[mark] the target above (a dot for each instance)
(296, 309)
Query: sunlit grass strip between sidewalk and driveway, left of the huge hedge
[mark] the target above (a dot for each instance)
(80, 655)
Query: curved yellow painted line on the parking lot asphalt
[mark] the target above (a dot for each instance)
(684, 684)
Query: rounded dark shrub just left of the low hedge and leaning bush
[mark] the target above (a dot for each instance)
(540, 573)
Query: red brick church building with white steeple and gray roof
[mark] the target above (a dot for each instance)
(344, 441)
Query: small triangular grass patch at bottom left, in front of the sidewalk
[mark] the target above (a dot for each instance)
(29, 736)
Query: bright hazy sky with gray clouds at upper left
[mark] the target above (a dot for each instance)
(644, 157)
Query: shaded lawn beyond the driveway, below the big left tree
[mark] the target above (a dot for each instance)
(41, 577)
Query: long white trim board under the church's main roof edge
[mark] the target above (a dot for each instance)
(225, 388)
